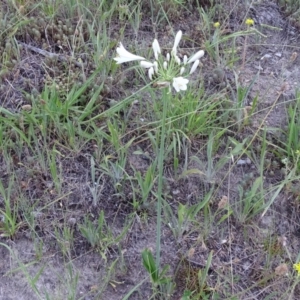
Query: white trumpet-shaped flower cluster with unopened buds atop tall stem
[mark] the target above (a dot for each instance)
(170, 69)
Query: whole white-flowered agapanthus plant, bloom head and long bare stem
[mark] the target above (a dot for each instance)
(166, 71)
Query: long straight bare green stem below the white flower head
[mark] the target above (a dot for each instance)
(160, 166)
